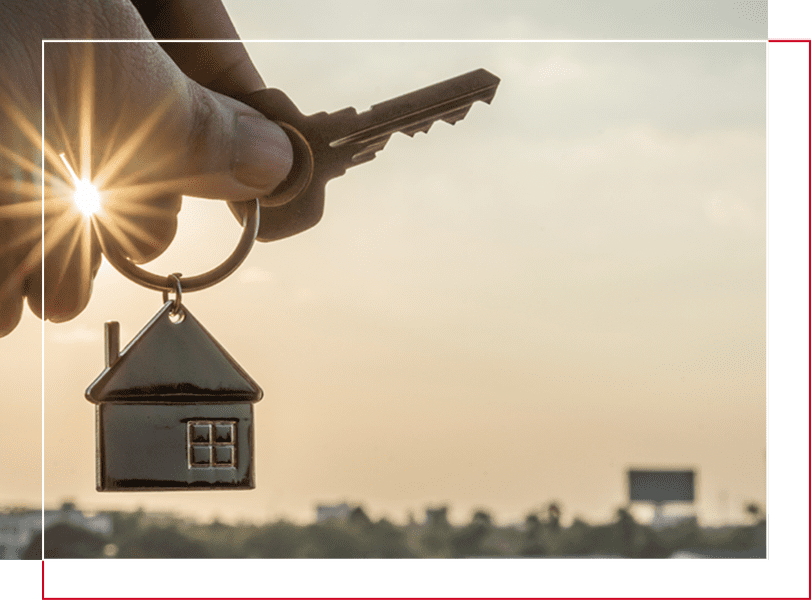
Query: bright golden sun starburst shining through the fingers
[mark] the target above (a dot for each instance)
(77, 201)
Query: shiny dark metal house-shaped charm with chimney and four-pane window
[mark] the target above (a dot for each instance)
(174, 411)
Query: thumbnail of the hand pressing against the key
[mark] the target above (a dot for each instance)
(263, 154)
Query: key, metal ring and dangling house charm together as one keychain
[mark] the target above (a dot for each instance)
(173, 410)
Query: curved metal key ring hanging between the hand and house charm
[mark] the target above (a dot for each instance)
(198, 282)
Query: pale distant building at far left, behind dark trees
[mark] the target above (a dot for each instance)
(18, 529)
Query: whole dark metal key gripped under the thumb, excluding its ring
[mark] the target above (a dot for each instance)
(325, 145)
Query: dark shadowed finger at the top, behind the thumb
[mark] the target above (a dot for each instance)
(223, 67)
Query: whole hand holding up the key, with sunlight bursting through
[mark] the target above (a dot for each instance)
(146, 123)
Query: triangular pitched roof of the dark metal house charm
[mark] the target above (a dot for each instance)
(174, 362)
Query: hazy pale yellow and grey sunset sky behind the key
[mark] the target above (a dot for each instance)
(570, 282)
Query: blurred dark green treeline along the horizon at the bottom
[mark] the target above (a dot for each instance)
(139, 535)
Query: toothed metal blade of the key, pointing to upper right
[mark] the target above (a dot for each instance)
(448, 101)
